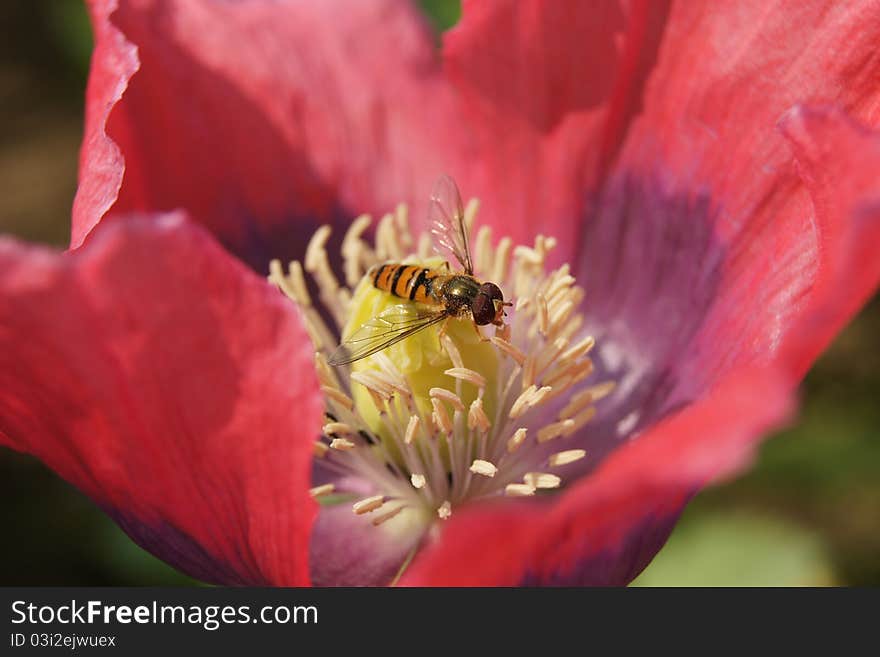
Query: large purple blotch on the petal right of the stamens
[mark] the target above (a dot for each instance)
(650, 263)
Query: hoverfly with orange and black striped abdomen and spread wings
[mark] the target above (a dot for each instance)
(434, 294)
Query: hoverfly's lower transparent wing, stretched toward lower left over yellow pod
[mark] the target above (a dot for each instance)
(395, 324)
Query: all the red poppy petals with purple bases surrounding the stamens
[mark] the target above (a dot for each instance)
(707, 169)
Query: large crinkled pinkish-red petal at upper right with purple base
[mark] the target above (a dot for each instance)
(726, 73)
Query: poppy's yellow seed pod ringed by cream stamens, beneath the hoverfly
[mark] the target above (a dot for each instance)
(453, 413)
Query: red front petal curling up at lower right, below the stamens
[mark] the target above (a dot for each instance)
(606, 528)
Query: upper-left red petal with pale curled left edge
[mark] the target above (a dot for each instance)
(318, 107)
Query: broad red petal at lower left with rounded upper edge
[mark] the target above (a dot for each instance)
(171, 385)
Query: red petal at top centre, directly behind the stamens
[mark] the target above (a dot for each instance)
(547, 90)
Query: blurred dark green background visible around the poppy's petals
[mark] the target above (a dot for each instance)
(808, 513)
